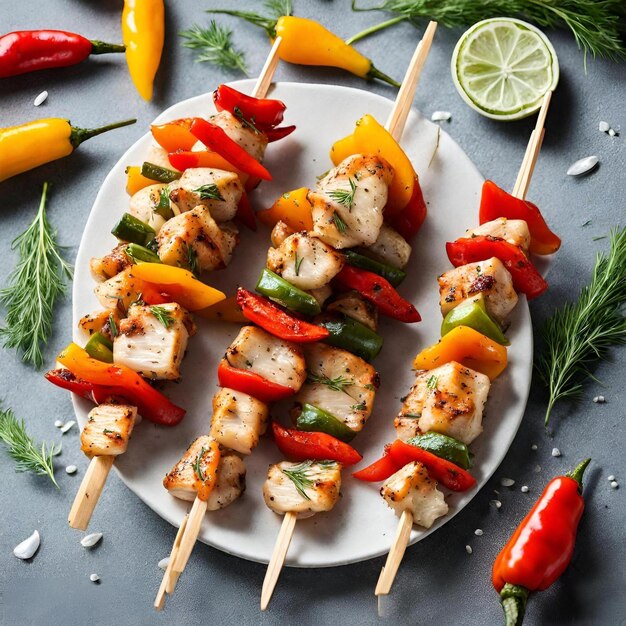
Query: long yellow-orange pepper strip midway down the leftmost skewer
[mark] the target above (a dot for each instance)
(180, 284)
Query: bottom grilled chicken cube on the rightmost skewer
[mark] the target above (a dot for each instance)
(412, 489)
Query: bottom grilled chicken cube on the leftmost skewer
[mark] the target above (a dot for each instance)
(108, 429)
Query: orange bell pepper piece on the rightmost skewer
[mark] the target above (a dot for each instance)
(468, 347)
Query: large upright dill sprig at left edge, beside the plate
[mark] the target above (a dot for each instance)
(33, 288)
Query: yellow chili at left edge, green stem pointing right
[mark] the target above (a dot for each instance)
(30, 145)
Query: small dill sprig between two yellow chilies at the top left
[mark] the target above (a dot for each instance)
(214, 45)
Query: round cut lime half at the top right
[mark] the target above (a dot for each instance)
(502, 67)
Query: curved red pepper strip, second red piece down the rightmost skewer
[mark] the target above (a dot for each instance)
(526, 278)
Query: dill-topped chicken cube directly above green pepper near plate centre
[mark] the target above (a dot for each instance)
(305, 261)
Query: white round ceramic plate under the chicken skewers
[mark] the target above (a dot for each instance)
(361, 526)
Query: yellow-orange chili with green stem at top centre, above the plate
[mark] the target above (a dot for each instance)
(306, 42)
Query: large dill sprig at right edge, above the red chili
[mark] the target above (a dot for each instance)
(580, 333)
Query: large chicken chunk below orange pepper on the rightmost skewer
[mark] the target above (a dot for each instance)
(449, 400)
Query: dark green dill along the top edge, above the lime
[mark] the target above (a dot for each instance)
(597, 25)
